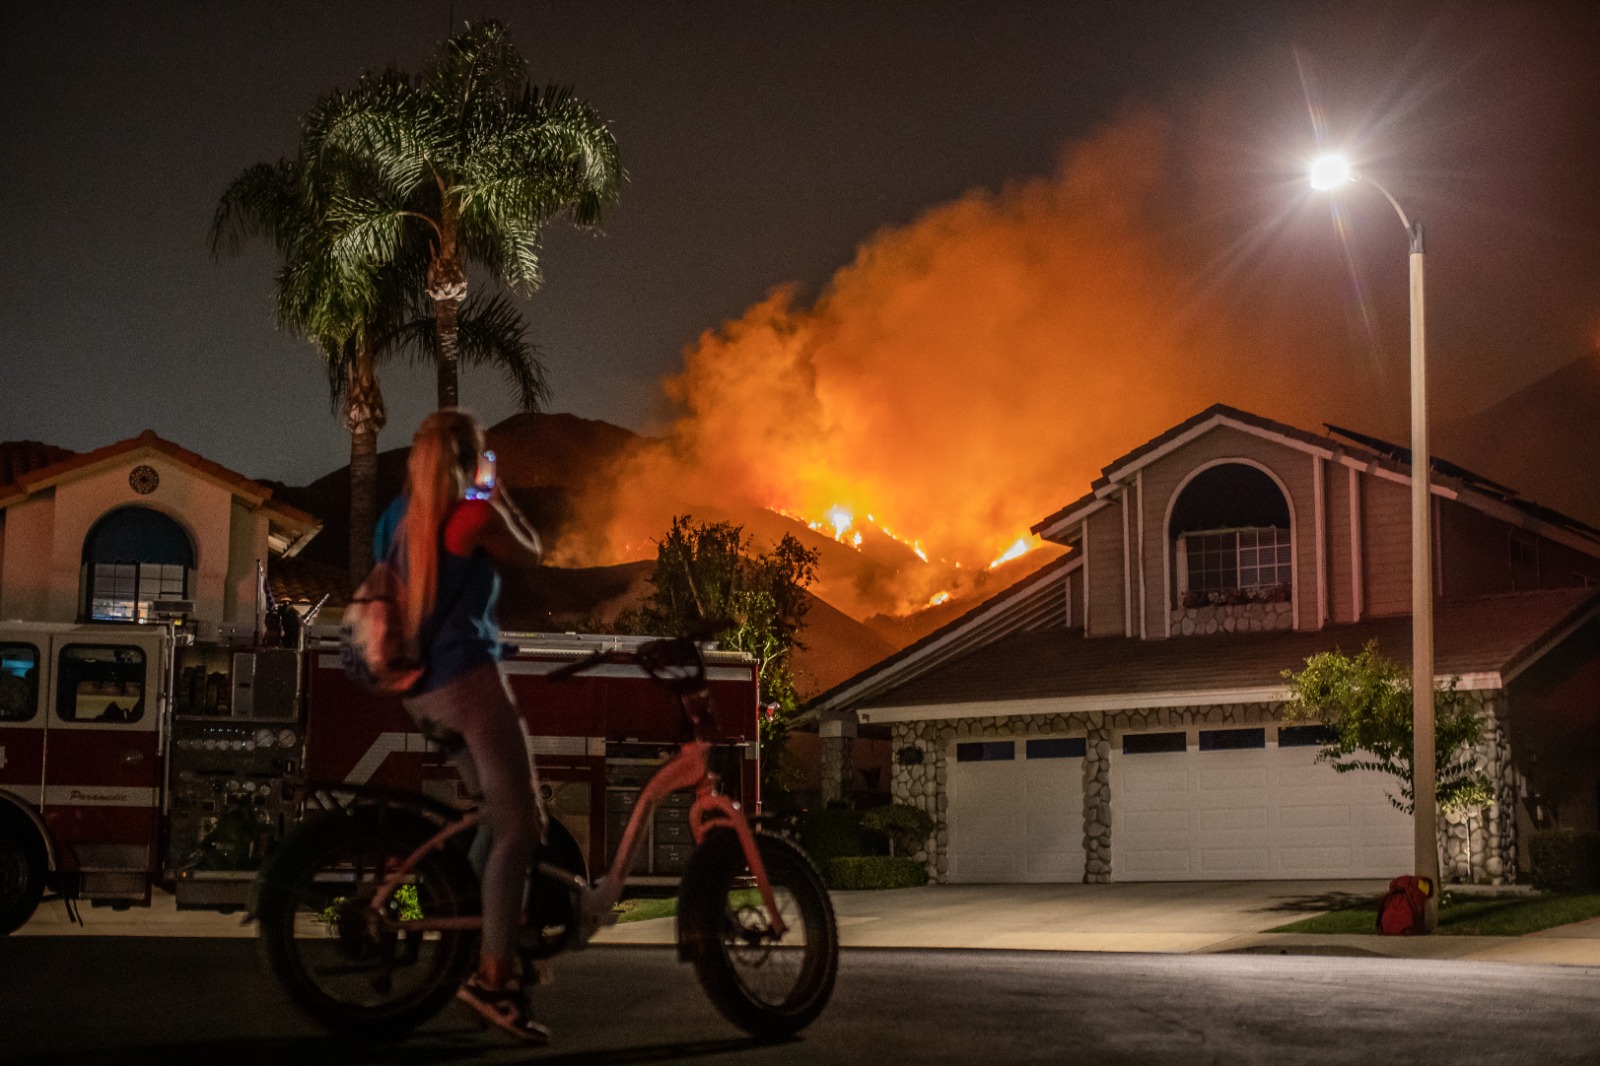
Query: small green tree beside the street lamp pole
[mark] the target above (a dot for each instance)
(1367, 703)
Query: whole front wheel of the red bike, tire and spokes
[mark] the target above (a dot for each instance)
(767, 985)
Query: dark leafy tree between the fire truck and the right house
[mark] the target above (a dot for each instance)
(708, 571)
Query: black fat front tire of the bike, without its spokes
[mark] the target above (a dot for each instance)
(719, 868)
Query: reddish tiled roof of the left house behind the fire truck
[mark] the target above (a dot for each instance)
(34, 468)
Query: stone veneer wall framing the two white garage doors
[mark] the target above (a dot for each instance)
(1490, 841)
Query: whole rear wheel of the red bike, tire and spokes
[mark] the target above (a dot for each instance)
(340, 961)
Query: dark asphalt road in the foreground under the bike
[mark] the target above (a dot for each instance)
(135, 1001)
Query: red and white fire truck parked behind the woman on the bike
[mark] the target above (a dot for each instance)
(135, 759)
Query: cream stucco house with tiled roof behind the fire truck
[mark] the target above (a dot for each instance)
(138, 529)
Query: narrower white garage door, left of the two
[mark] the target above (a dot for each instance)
(1017, 811)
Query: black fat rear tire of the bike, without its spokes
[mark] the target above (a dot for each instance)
(316, 848)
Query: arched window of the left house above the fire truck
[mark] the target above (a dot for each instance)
(132, 558)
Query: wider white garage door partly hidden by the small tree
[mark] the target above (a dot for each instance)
(1249, 804)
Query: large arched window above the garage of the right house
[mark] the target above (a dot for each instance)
(1231, 539)
